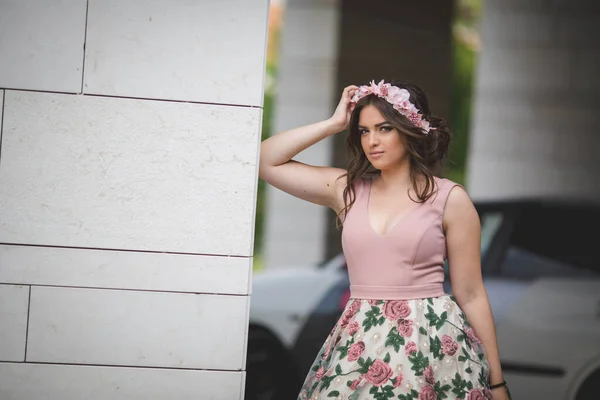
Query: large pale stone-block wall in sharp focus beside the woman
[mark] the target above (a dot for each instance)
(129, 138)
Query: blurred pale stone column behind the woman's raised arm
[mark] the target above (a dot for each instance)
(295, 230)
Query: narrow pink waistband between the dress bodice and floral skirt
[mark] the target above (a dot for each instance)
(396, 292)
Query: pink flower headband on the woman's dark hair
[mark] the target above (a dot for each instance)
(396, 97)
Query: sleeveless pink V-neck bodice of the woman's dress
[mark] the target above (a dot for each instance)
(404, 263)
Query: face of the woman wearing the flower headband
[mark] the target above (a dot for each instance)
(382, 143)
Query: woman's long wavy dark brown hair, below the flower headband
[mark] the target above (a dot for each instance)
(427, 152)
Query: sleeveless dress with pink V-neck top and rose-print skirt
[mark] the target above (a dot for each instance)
(400, 335)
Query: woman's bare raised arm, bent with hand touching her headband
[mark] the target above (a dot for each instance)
(319, 185)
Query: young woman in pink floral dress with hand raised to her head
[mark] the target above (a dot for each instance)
(400, 336)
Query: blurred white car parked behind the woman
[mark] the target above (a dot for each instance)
(542, 277)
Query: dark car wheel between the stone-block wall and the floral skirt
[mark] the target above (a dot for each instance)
(270, 372)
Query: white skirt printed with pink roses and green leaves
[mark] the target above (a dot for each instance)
(400, 349)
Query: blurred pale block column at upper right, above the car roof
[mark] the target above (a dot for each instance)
(535, 130)
